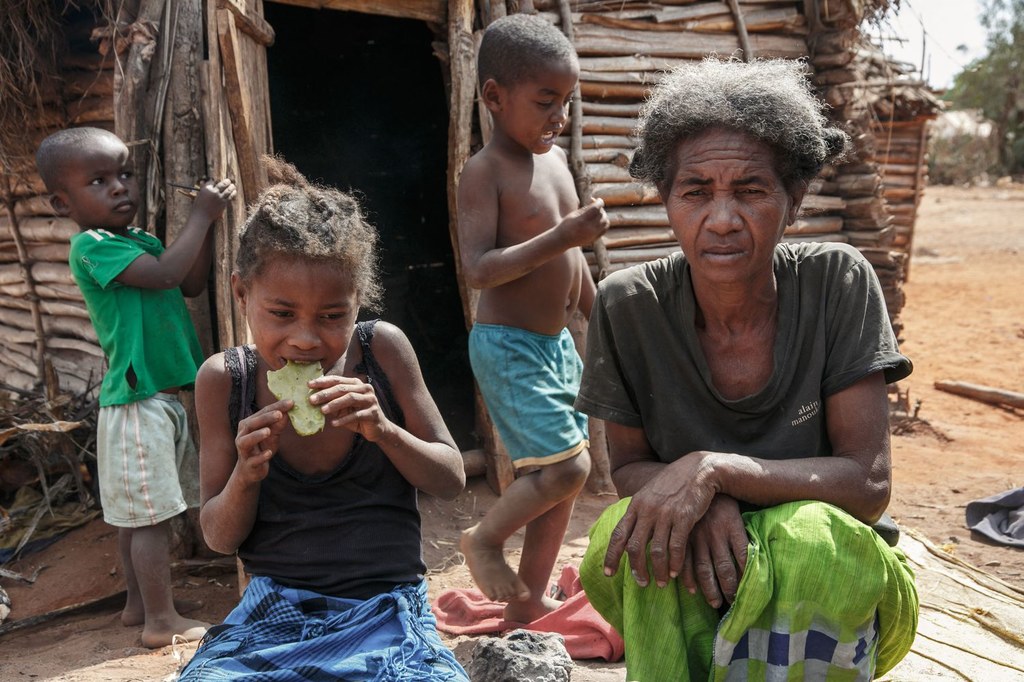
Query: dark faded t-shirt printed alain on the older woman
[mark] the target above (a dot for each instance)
(645, 367)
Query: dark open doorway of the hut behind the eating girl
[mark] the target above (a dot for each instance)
(358, 102)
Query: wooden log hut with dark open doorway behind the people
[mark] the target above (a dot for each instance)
(380, 96)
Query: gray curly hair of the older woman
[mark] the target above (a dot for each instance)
(767, 100)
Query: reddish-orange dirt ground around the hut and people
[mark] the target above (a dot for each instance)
(964, 321)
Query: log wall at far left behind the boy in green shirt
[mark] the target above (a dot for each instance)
(35, 281)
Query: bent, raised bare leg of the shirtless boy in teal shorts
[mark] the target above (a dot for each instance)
(525, 500)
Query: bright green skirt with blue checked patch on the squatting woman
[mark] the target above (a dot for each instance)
(823, 598)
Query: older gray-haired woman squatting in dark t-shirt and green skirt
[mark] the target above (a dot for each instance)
(744, 386)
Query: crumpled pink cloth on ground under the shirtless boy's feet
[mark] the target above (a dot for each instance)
(587, 635)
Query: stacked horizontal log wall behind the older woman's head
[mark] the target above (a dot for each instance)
(624, 53)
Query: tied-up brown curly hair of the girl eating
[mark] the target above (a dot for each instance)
(295, 218)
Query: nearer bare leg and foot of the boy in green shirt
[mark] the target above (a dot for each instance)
(151, 564)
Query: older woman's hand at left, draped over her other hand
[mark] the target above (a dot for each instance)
(662, 515)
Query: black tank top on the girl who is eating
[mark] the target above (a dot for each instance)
(354, 533)
